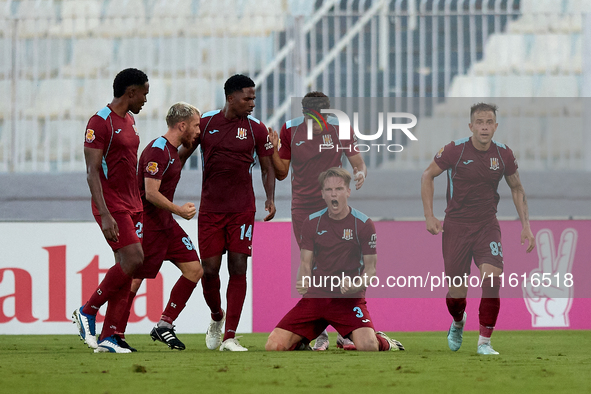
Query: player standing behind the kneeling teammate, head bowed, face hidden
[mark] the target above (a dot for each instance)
(307, 162)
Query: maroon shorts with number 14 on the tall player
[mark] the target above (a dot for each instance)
(218, 232)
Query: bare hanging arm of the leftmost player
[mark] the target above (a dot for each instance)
(94, 160)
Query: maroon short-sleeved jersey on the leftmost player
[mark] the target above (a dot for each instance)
(119, 140)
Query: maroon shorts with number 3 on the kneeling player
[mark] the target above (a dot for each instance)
(311, 316)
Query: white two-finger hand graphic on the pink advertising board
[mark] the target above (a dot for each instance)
(549, 305)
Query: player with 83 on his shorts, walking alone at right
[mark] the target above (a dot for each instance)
(475, 165)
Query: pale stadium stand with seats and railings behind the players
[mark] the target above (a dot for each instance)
(58, 59)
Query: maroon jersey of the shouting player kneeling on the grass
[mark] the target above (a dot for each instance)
(338, 246)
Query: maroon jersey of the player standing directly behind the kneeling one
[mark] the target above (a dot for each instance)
(310, 157)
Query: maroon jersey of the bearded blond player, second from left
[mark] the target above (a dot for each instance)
(159, 160)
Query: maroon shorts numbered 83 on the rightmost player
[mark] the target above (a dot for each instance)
(464, 241)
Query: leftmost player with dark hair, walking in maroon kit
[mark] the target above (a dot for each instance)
(110, 151)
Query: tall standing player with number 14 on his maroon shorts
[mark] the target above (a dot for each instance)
(230, 139)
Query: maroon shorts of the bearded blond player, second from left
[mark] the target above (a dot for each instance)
(171, 244)
